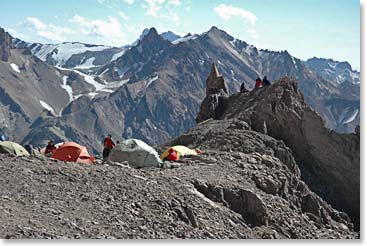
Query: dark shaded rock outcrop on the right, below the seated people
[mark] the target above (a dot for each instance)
(329, 161)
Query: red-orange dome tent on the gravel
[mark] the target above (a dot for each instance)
(73, 152)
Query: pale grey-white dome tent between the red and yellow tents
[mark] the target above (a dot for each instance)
(136, 152)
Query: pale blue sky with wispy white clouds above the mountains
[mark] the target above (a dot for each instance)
(306, 28)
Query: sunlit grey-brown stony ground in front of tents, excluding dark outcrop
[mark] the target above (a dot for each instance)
(247, 193)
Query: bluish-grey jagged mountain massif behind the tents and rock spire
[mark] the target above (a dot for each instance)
(163, 83)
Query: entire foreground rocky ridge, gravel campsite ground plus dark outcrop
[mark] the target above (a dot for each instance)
(251, 181)
